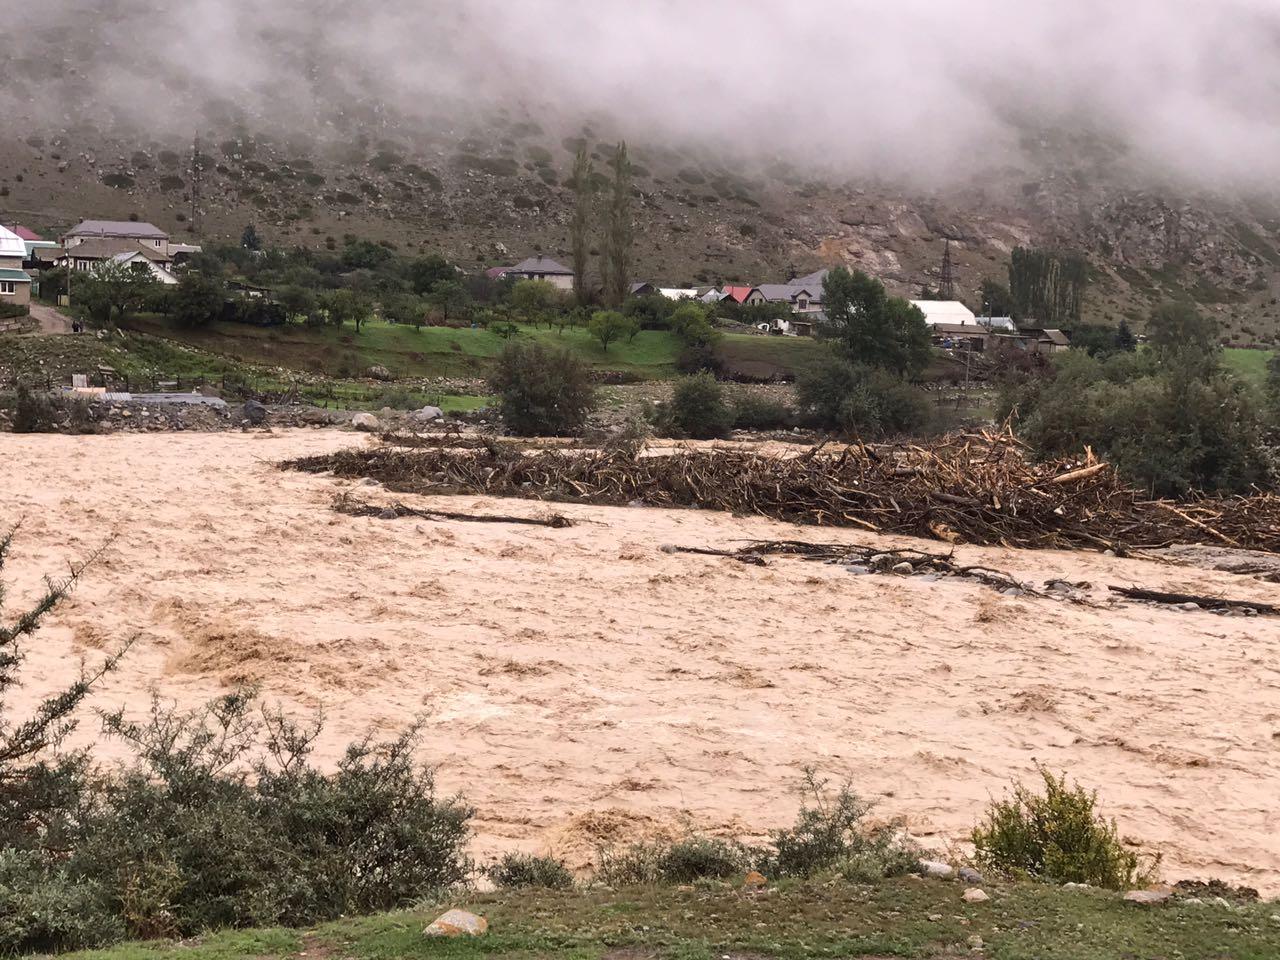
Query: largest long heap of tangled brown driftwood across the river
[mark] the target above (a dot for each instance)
(979, 490)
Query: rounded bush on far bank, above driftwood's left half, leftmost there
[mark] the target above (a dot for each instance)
(542, 392)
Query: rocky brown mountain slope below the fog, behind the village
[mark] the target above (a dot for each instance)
(499, 193)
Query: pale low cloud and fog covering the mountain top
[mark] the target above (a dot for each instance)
(871, 88)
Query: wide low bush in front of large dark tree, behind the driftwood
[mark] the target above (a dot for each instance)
(860, 401)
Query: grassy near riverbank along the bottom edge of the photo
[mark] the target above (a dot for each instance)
(797, 920)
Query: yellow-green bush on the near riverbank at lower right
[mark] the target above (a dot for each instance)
(1058, 836)
